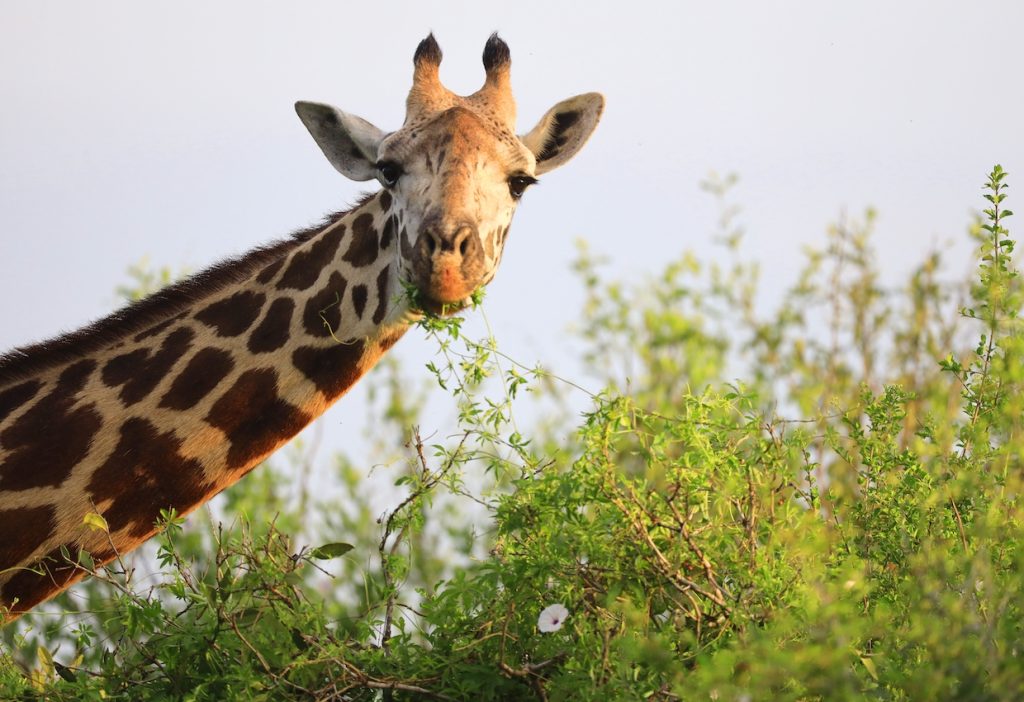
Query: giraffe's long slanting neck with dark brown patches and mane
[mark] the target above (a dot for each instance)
(170, 402)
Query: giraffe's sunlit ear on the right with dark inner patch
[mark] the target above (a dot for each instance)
(564, 130)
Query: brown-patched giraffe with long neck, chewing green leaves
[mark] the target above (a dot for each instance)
(173, 400)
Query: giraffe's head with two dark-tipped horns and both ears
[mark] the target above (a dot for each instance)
(456, 170)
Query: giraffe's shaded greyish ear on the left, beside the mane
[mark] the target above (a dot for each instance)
(350, 143)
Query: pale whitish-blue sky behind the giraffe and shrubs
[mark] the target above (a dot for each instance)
(132, 130)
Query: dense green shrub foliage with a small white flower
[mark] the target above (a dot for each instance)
(842, 523)
